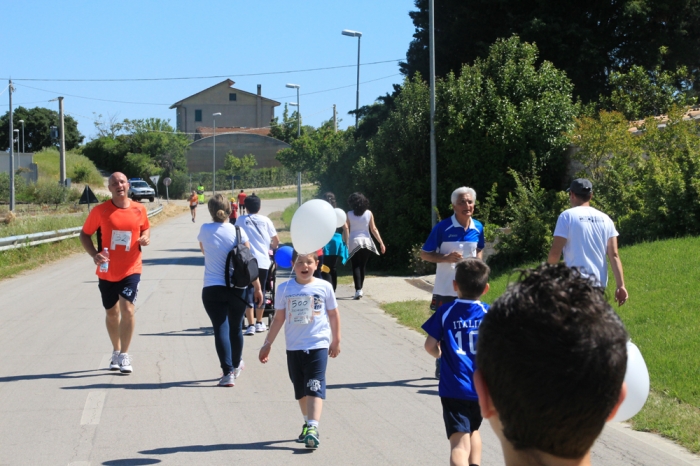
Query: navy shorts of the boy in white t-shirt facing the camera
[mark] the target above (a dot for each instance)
(307, 371)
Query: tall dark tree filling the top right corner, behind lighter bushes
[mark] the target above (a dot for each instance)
(586, 39)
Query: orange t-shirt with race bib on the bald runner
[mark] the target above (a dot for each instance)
(118, 230)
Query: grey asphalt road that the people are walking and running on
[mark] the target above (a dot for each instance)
(61, 406)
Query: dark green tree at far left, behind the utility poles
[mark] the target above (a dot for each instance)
(37, 129)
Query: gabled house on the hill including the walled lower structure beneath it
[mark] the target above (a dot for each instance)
(242, 127)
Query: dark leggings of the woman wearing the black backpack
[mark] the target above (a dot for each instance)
(226, 312)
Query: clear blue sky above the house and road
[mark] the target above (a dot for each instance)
(159, 39)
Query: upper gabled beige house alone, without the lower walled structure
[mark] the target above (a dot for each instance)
(239, 109)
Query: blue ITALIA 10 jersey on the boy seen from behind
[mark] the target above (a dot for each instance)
(456, 326)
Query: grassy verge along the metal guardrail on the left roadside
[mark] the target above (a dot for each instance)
(20, 260)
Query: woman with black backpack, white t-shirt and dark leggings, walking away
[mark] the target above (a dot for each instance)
(225, 306)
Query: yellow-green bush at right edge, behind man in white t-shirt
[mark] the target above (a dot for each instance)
(649, 183)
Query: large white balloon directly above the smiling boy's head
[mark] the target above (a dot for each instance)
(313, 226)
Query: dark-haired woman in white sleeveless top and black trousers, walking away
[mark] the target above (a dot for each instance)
(361, 225)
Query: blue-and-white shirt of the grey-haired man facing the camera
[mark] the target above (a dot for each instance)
(446, 237)
